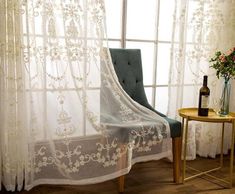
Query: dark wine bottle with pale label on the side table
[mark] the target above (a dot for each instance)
(204, 93)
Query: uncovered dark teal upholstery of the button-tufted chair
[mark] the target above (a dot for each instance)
(128, 67)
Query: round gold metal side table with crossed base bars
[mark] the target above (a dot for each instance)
(191, 114)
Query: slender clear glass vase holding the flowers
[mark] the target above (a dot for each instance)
(224, 110)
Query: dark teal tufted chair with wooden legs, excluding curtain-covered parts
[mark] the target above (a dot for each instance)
(128, 67)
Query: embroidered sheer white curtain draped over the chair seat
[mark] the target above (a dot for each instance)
(64, 118)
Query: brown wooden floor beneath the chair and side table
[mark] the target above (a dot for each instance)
(153, 177)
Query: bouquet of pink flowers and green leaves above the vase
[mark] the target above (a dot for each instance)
(224, 64)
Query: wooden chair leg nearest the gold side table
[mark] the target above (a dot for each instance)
(177, 150)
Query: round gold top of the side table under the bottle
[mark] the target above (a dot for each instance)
(192, 114)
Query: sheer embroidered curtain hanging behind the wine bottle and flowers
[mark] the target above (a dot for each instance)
(200, 28)
